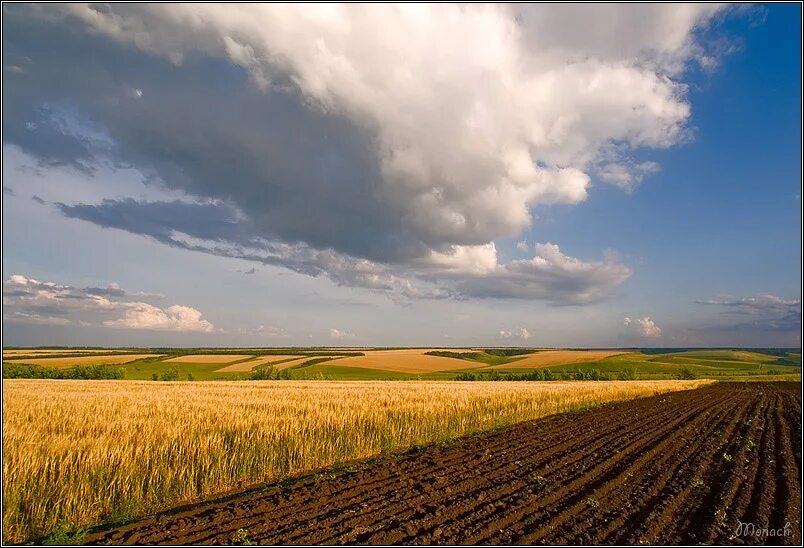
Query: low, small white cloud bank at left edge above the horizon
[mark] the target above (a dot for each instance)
(33, 302)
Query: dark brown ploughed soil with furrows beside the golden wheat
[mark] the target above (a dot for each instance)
(681, 468)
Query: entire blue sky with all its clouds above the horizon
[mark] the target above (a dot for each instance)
(445, 175)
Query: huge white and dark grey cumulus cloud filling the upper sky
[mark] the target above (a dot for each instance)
(385, 146)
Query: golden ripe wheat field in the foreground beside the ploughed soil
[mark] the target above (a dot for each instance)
(78, 453)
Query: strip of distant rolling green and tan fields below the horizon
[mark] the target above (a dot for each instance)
(432, 363)
